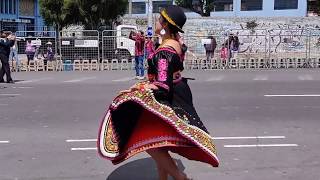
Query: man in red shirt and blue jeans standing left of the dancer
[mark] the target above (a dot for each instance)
(139, 53)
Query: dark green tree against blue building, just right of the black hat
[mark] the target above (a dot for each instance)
(202, 7)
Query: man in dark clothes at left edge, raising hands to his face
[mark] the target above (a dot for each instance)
(6, 42)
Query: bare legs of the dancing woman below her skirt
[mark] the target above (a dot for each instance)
(166, 164)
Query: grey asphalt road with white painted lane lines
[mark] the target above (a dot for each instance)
(266, 124)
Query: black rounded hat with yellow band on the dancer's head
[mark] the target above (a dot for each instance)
(175, 16)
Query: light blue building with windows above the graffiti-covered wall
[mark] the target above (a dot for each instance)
(238, 8)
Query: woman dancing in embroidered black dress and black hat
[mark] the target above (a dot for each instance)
(157, 115)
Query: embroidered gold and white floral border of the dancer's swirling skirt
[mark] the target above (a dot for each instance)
(147, 100)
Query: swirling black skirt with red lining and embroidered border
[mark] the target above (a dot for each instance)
(137, 121)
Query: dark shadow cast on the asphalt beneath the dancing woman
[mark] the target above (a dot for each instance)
(142, 169)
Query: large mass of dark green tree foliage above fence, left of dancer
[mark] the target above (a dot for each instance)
(90, 13)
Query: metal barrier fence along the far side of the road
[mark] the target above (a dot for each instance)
(112, 49)
